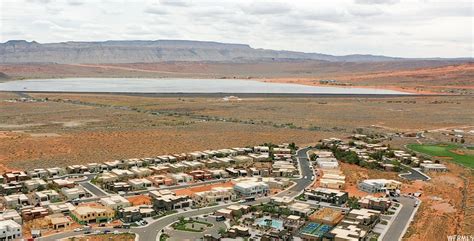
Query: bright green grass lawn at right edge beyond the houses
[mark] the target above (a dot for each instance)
(444, 150)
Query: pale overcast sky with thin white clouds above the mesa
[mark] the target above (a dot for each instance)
(403, 28)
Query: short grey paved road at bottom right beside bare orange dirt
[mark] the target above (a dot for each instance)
(396, 229)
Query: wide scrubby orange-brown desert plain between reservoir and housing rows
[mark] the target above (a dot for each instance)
(107, 127)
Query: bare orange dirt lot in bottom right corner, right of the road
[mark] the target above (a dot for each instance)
(447, 205)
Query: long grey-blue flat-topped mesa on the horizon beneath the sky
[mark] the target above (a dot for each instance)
(136, 51)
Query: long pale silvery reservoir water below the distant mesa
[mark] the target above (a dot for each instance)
(172, 85)
